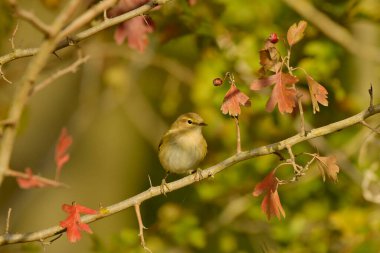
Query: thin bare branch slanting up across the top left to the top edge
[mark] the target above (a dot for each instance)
(74, 39)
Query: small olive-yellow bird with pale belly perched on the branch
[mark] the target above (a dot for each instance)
(183, 147)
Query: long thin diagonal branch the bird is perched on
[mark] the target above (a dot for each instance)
(188, 180)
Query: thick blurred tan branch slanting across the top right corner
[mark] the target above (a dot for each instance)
(334, 31)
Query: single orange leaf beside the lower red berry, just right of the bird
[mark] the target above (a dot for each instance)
(232, 101)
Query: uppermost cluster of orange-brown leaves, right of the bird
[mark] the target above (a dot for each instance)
(276, 70)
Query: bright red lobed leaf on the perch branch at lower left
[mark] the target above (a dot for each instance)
(73, 223)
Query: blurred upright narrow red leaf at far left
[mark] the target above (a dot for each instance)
(61, 155)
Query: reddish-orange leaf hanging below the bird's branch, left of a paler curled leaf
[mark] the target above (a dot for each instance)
(271, 204)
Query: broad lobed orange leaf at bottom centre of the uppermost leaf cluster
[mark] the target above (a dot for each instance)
(282, 93)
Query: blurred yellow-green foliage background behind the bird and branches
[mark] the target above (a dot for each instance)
(121, 101)
